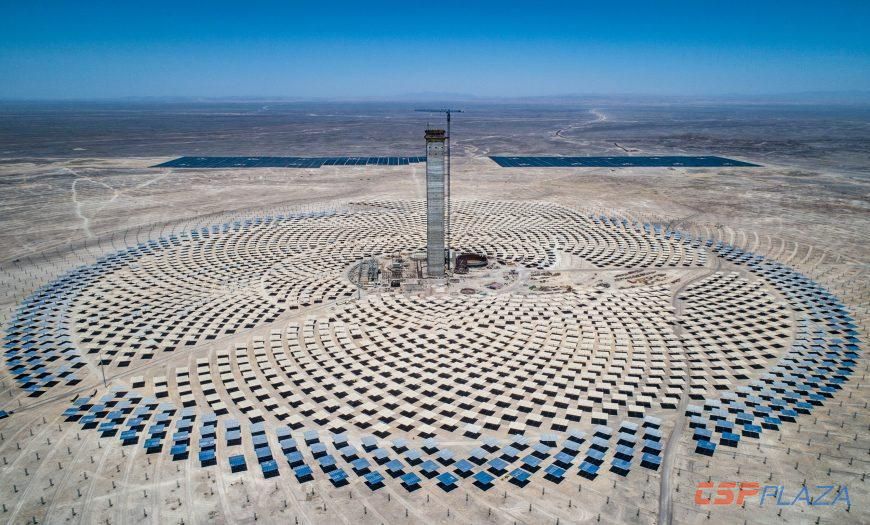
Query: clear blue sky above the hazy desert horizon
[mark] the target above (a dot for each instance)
(96, 49)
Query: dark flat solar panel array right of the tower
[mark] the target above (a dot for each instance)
(619, 162)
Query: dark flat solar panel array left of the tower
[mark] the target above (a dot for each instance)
(286, 162)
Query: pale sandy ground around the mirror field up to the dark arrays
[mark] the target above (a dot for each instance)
(62, 212)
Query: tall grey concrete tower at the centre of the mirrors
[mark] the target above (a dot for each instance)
(436, 179)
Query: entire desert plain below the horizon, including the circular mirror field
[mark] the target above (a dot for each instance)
(309, 351)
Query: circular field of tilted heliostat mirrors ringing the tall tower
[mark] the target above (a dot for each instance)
(571, 353)
